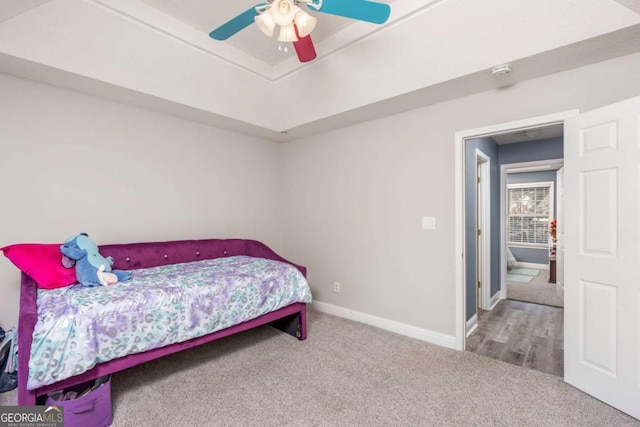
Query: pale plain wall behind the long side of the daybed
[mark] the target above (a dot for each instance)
(73, 163)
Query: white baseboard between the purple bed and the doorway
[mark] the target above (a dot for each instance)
(448, 341)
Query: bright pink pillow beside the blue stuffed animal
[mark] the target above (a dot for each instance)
(43, 263)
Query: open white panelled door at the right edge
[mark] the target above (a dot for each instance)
(602, 260)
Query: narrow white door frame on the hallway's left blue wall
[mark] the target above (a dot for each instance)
(483, 222)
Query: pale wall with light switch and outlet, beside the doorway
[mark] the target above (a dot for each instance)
(356, 195)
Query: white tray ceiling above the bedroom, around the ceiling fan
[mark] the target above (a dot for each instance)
(157, 54)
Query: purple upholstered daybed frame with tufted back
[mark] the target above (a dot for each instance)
(291, 319)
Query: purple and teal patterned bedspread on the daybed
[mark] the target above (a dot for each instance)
(79, 327)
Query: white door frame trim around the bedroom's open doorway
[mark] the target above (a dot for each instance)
(459, 148)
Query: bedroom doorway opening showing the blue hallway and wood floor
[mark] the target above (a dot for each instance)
(526, 328)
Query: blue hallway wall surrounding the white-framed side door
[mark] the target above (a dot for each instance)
(490, 149)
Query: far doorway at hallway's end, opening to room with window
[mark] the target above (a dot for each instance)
(531, 194)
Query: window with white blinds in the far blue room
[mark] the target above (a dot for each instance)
(529, 213)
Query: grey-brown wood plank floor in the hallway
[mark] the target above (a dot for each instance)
(521, 333)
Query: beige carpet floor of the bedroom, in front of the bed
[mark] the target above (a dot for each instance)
(344, 374)
